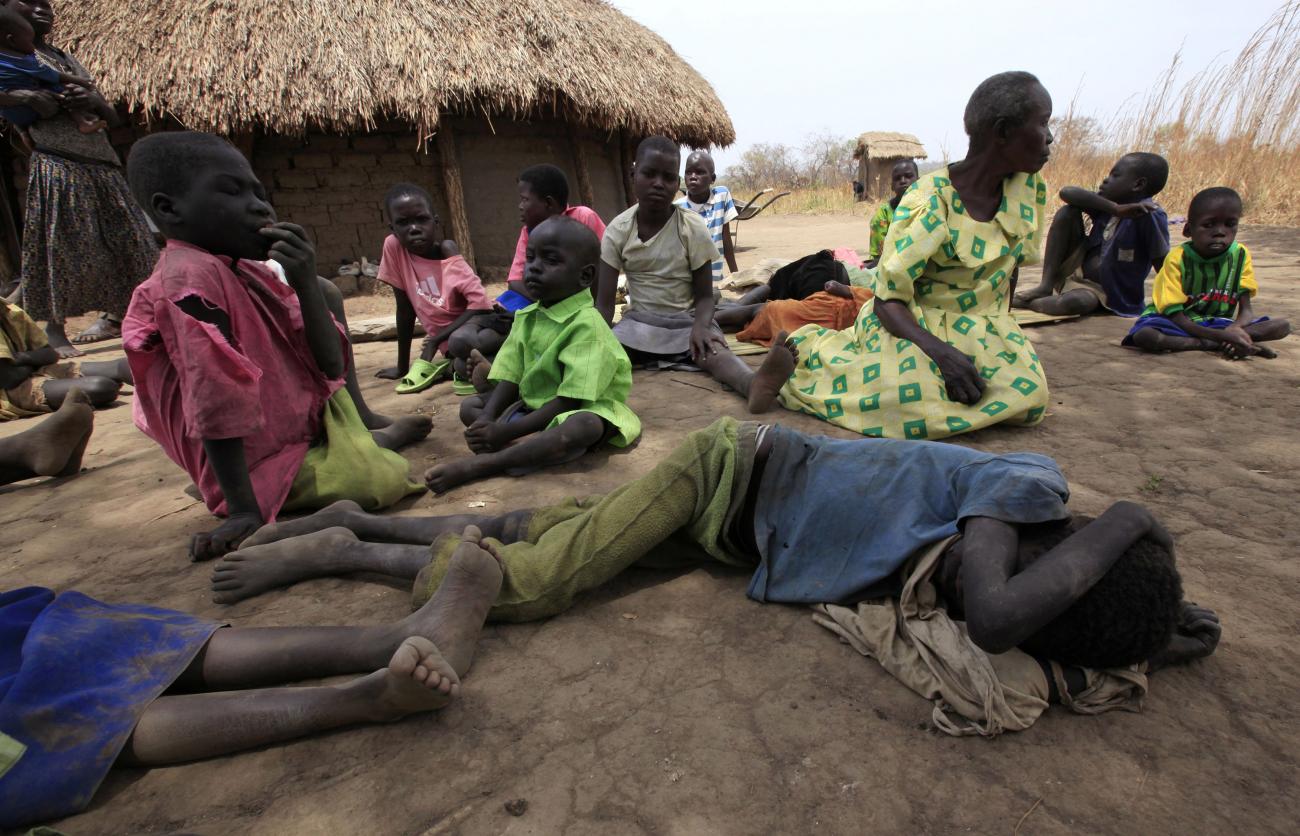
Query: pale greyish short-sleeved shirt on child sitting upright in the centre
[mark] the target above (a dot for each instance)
(660, 270)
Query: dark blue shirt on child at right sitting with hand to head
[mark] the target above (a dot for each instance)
(1128, 248)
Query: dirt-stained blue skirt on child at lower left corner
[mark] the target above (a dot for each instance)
(76, 675)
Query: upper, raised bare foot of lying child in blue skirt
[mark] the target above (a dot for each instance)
(457, 612)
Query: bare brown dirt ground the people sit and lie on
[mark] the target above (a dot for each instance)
(671, 704)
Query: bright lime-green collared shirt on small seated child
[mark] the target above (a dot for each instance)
(567, 352)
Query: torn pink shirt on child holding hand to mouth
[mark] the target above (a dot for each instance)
(192, 384)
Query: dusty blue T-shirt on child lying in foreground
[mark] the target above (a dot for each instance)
(834, 518)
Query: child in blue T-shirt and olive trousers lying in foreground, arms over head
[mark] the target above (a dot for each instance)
(990, 534)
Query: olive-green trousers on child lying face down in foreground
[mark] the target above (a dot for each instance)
(679, 513)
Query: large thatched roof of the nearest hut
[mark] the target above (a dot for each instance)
(292, 66)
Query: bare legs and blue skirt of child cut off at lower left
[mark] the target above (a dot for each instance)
(86, 686)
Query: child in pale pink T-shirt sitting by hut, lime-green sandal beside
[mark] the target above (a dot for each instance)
(431, 281)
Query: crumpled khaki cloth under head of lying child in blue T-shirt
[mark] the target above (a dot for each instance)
(974, 692)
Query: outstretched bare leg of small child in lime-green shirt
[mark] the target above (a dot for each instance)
(547, 449)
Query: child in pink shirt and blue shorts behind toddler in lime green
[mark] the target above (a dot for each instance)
(543, 196)
